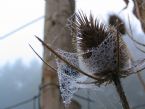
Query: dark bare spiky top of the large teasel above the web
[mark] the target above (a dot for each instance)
(86, 29)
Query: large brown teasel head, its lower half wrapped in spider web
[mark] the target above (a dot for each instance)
(98, 47)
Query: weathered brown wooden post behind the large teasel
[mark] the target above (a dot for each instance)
(55, 33)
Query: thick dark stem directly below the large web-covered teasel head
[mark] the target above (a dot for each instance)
(120, 91)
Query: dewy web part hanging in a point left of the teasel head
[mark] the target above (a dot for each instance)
(69, 79)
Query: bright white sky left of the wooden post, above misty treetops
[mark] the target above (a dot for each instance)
(14, 14)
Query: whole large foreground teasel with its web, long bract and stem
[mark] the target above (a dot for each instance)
(101, 55)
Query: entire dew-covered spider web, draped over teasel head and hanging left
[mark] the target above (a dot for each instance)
(103, 58)
